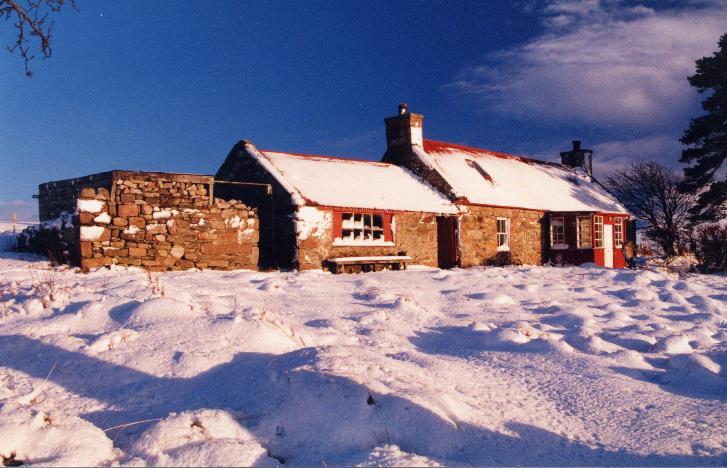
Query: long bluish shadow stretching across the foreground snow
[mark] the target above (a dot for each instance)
(325, 417)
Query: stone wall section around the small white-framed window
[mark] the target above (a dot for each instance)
(478, 236)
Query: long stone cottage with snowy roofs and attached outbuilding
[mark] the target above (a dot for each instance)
(426, 202)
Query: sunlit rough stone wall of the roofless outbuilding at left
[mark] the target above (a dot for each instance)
(165, 222)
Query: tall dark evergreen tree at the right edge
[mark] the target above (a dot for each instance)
(706, 138)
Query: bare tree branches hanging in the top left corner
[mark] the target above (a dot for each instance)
(30, 18)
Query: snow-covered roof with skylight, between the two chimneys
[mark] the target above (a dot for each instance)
(486, 177)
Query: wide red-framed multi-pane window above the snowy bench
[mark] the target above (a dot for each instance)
(358, 227)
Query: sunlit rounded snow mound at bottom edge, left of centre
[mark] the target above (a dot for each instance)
(200, 438)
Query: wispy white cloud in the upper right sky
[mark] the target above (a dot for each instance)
(601, 63)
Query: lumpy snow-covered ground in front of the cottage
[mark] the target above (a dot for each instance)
(519, 365)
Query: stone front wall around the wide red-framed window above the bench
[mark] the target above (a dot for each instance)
(415, 235)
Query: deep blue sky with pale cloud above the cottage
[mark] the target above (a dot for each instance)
(172, 86)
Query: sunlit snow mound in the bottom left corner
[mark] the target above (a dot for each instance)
(50, 438)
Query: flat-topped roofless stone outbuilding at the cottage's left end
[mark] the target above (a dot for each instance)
(159, 221)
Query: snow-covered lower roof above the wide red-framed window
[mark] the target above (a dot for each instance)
(349, 183)
